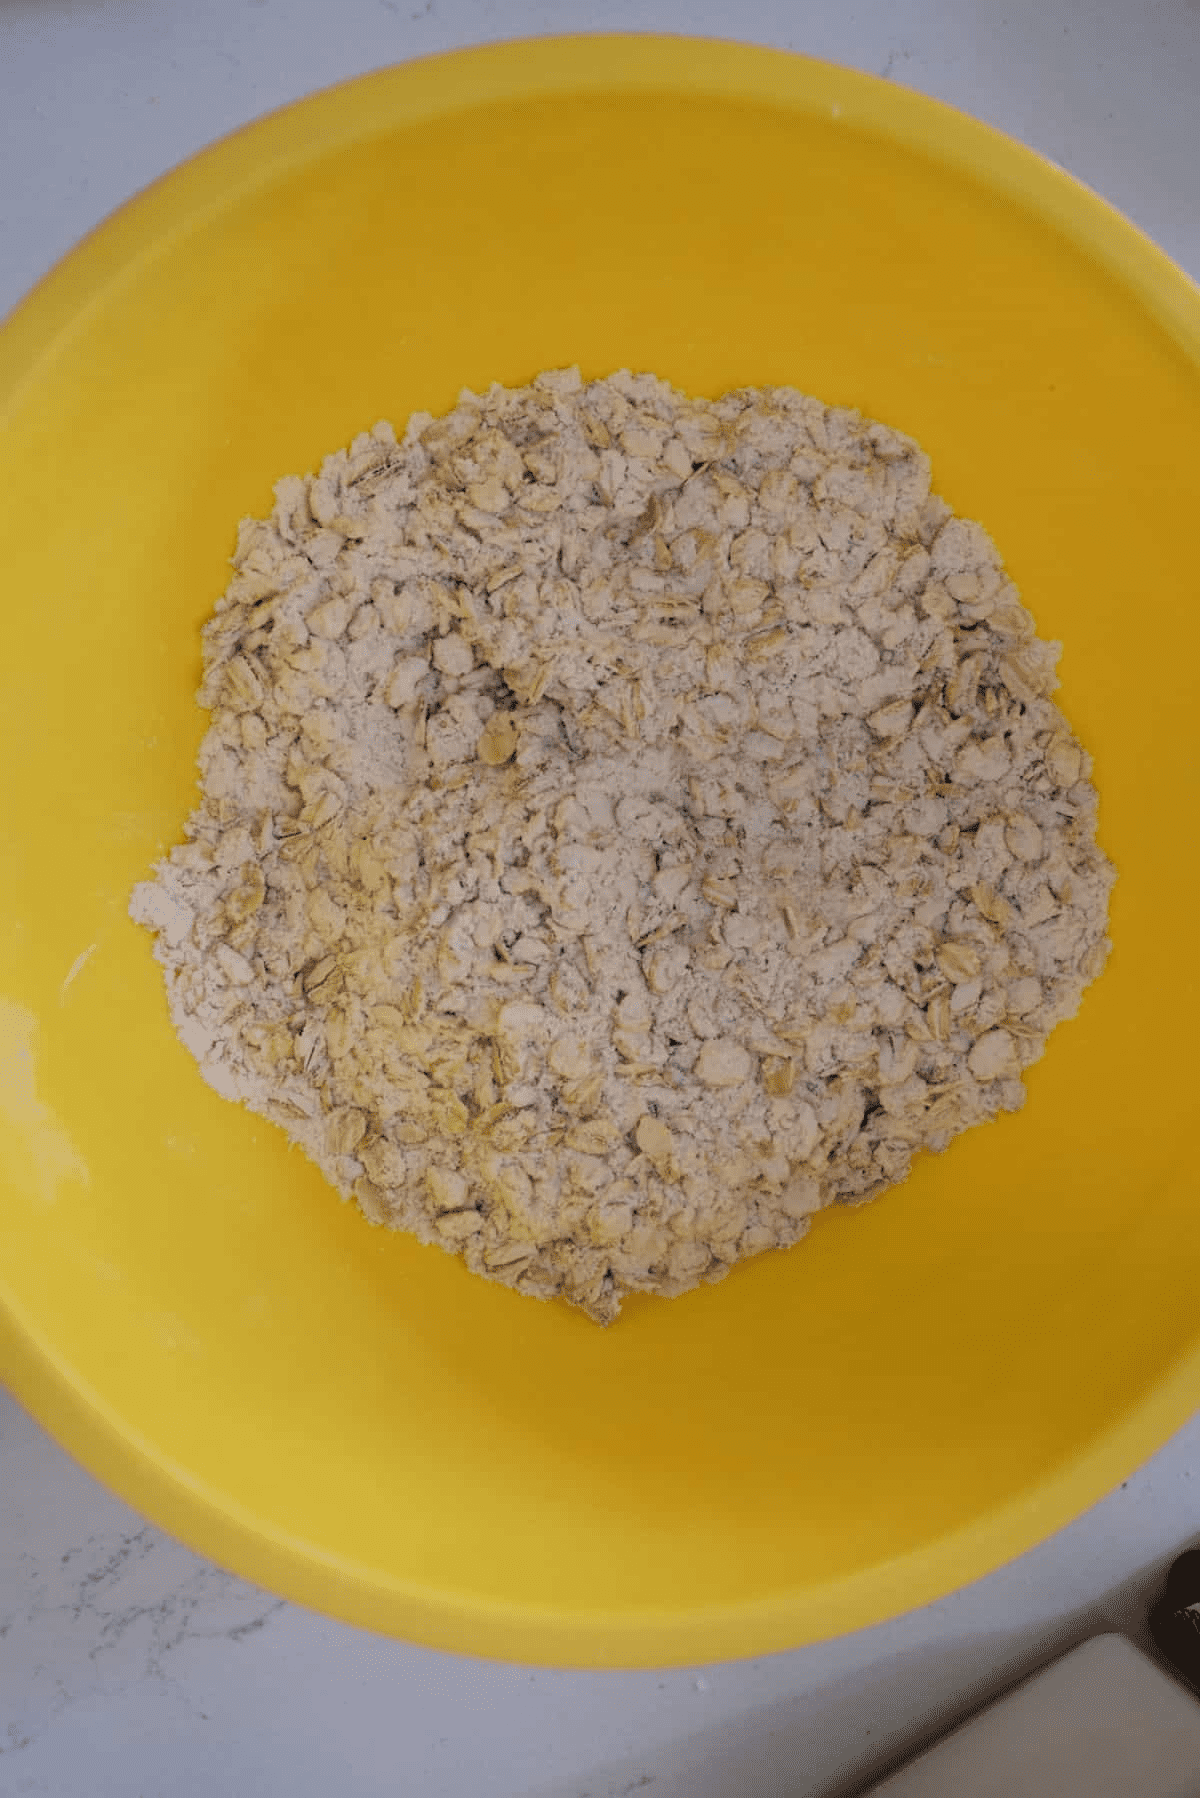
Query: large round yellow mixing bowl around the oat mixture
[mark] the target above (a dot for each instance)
(837, 1434)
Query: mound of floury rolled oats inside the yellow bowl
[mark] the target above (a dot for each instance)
(629, 824)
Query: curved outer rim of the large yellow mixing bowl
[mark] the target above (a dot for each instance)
(240, 163)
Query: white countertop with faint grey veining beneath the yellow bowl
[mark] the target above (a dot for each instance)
(129, 1666)
